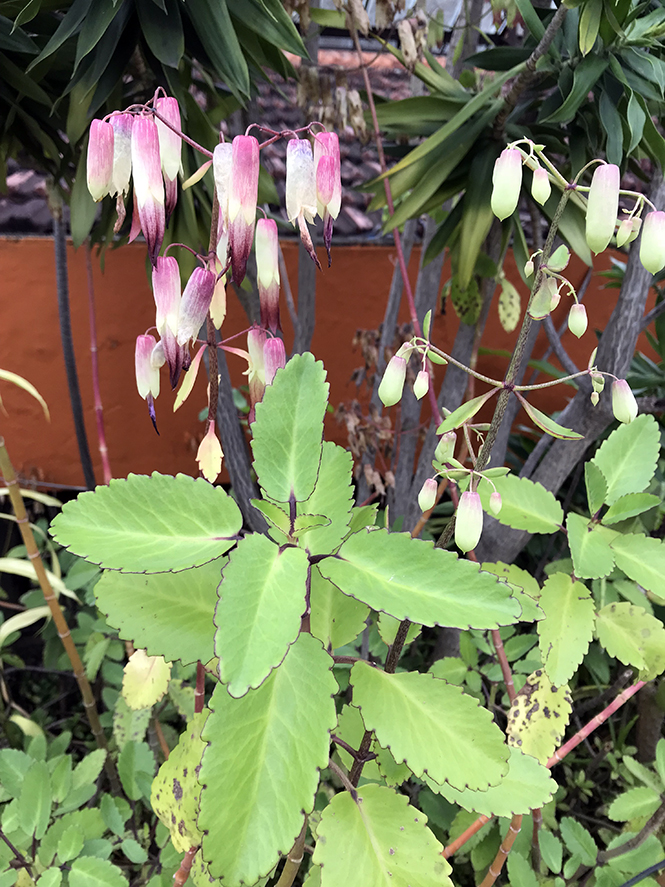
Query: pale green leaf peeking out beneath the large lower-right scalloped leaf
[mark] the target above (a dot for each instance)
(527, 785)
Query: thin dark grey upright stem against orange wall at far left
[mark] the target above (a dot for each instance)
(62, 286)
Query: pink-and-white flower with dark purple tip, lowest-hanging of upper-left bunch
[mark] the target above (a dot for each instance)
(148, 183)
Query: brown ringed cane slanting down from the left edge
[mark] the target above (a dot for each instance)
(58, 616)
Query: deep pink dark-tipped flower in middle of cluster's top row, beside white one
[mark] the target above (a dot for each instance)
(243, 194)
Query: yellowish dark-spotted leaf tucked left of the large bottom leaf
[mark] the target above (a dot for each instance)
(176, 790)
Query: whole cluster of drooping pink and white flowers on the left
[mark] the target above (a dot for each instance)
(143, 145)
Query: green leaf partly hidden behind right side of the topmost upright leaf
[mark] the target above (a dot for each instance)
(332, 496)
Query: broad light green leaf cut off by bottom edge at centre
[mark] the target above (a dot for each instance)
(377, 839)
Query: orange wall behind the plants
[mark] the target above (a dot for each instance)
(350, 295)
